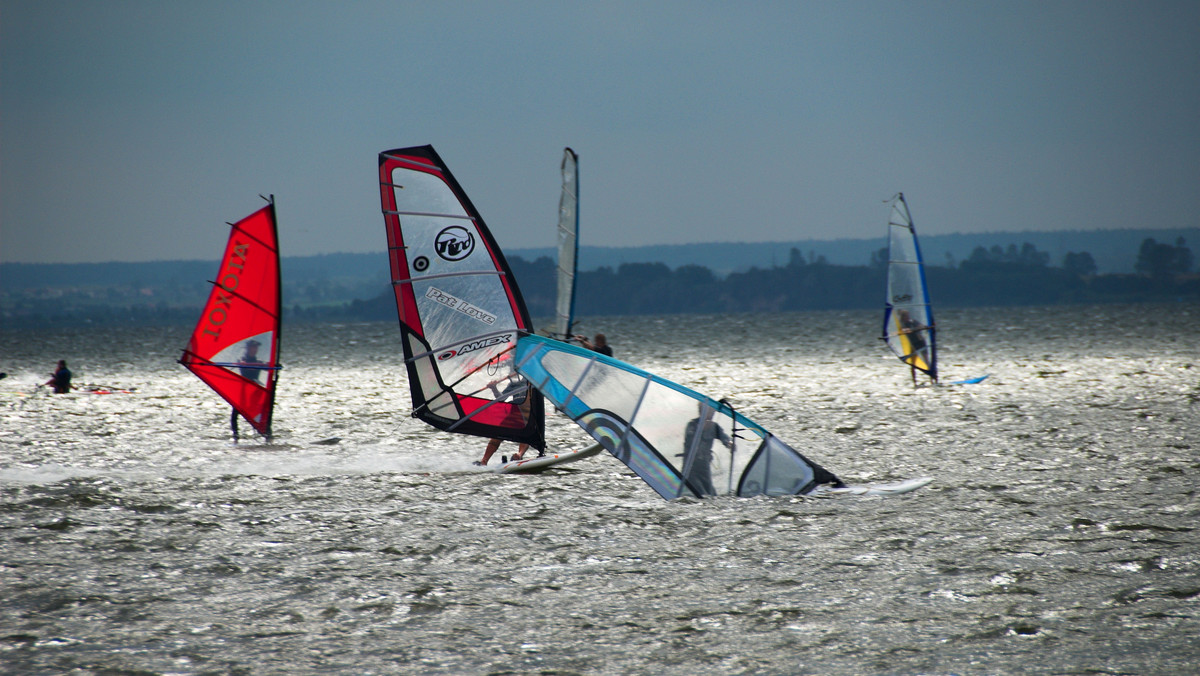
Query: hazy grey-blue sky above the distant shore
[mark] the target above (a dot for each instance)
(134, 130)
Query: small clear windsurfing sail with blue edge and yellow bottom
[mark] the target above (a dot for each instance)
(908, 316)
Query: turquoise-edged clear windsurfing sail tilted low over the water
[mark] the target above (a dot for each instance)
(679, 441)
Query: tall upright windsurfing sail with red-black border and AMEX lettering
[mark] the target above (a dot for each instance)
(460, 309)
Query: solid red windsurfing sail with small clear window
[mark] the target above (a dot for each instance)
(236, 346)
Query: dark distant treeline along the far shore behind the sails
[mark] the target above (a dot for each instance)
(995, 277)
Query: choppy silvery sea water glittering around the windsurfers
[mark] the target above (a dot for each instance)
(1059, 537)
